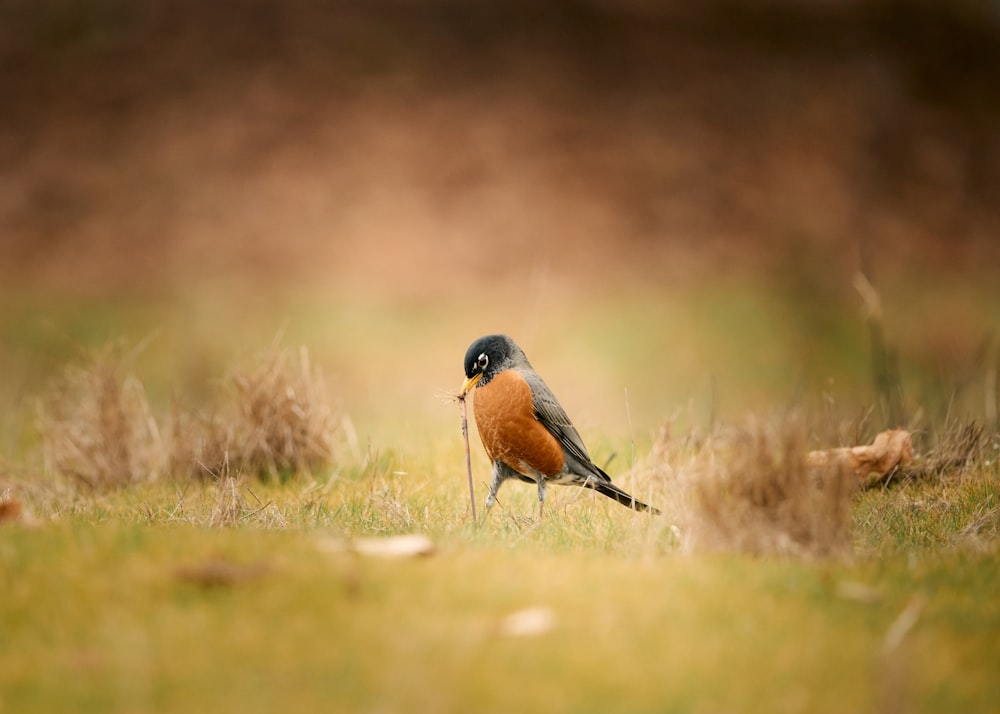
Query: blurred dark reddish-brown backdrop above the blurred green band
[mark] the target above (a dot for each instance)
(412, 147)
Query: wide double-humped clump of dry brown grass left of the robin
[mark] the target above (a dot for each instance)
(271, 417)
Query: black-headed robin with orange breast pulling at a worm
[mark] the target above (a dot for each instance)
(524, 429)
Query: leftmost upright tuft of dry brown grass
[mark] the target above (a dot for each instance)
(96, 424)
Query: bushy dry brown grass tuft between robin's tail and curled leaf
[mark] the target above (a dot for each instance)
(752, 490)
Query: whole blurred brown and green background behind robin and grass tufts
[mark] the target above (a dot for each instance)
(665, 203)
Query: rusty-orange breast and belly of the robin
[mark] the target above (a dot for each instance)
(505, 417)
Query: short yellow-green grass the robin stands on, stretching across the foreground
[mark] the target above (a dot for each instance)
(98, 615)
